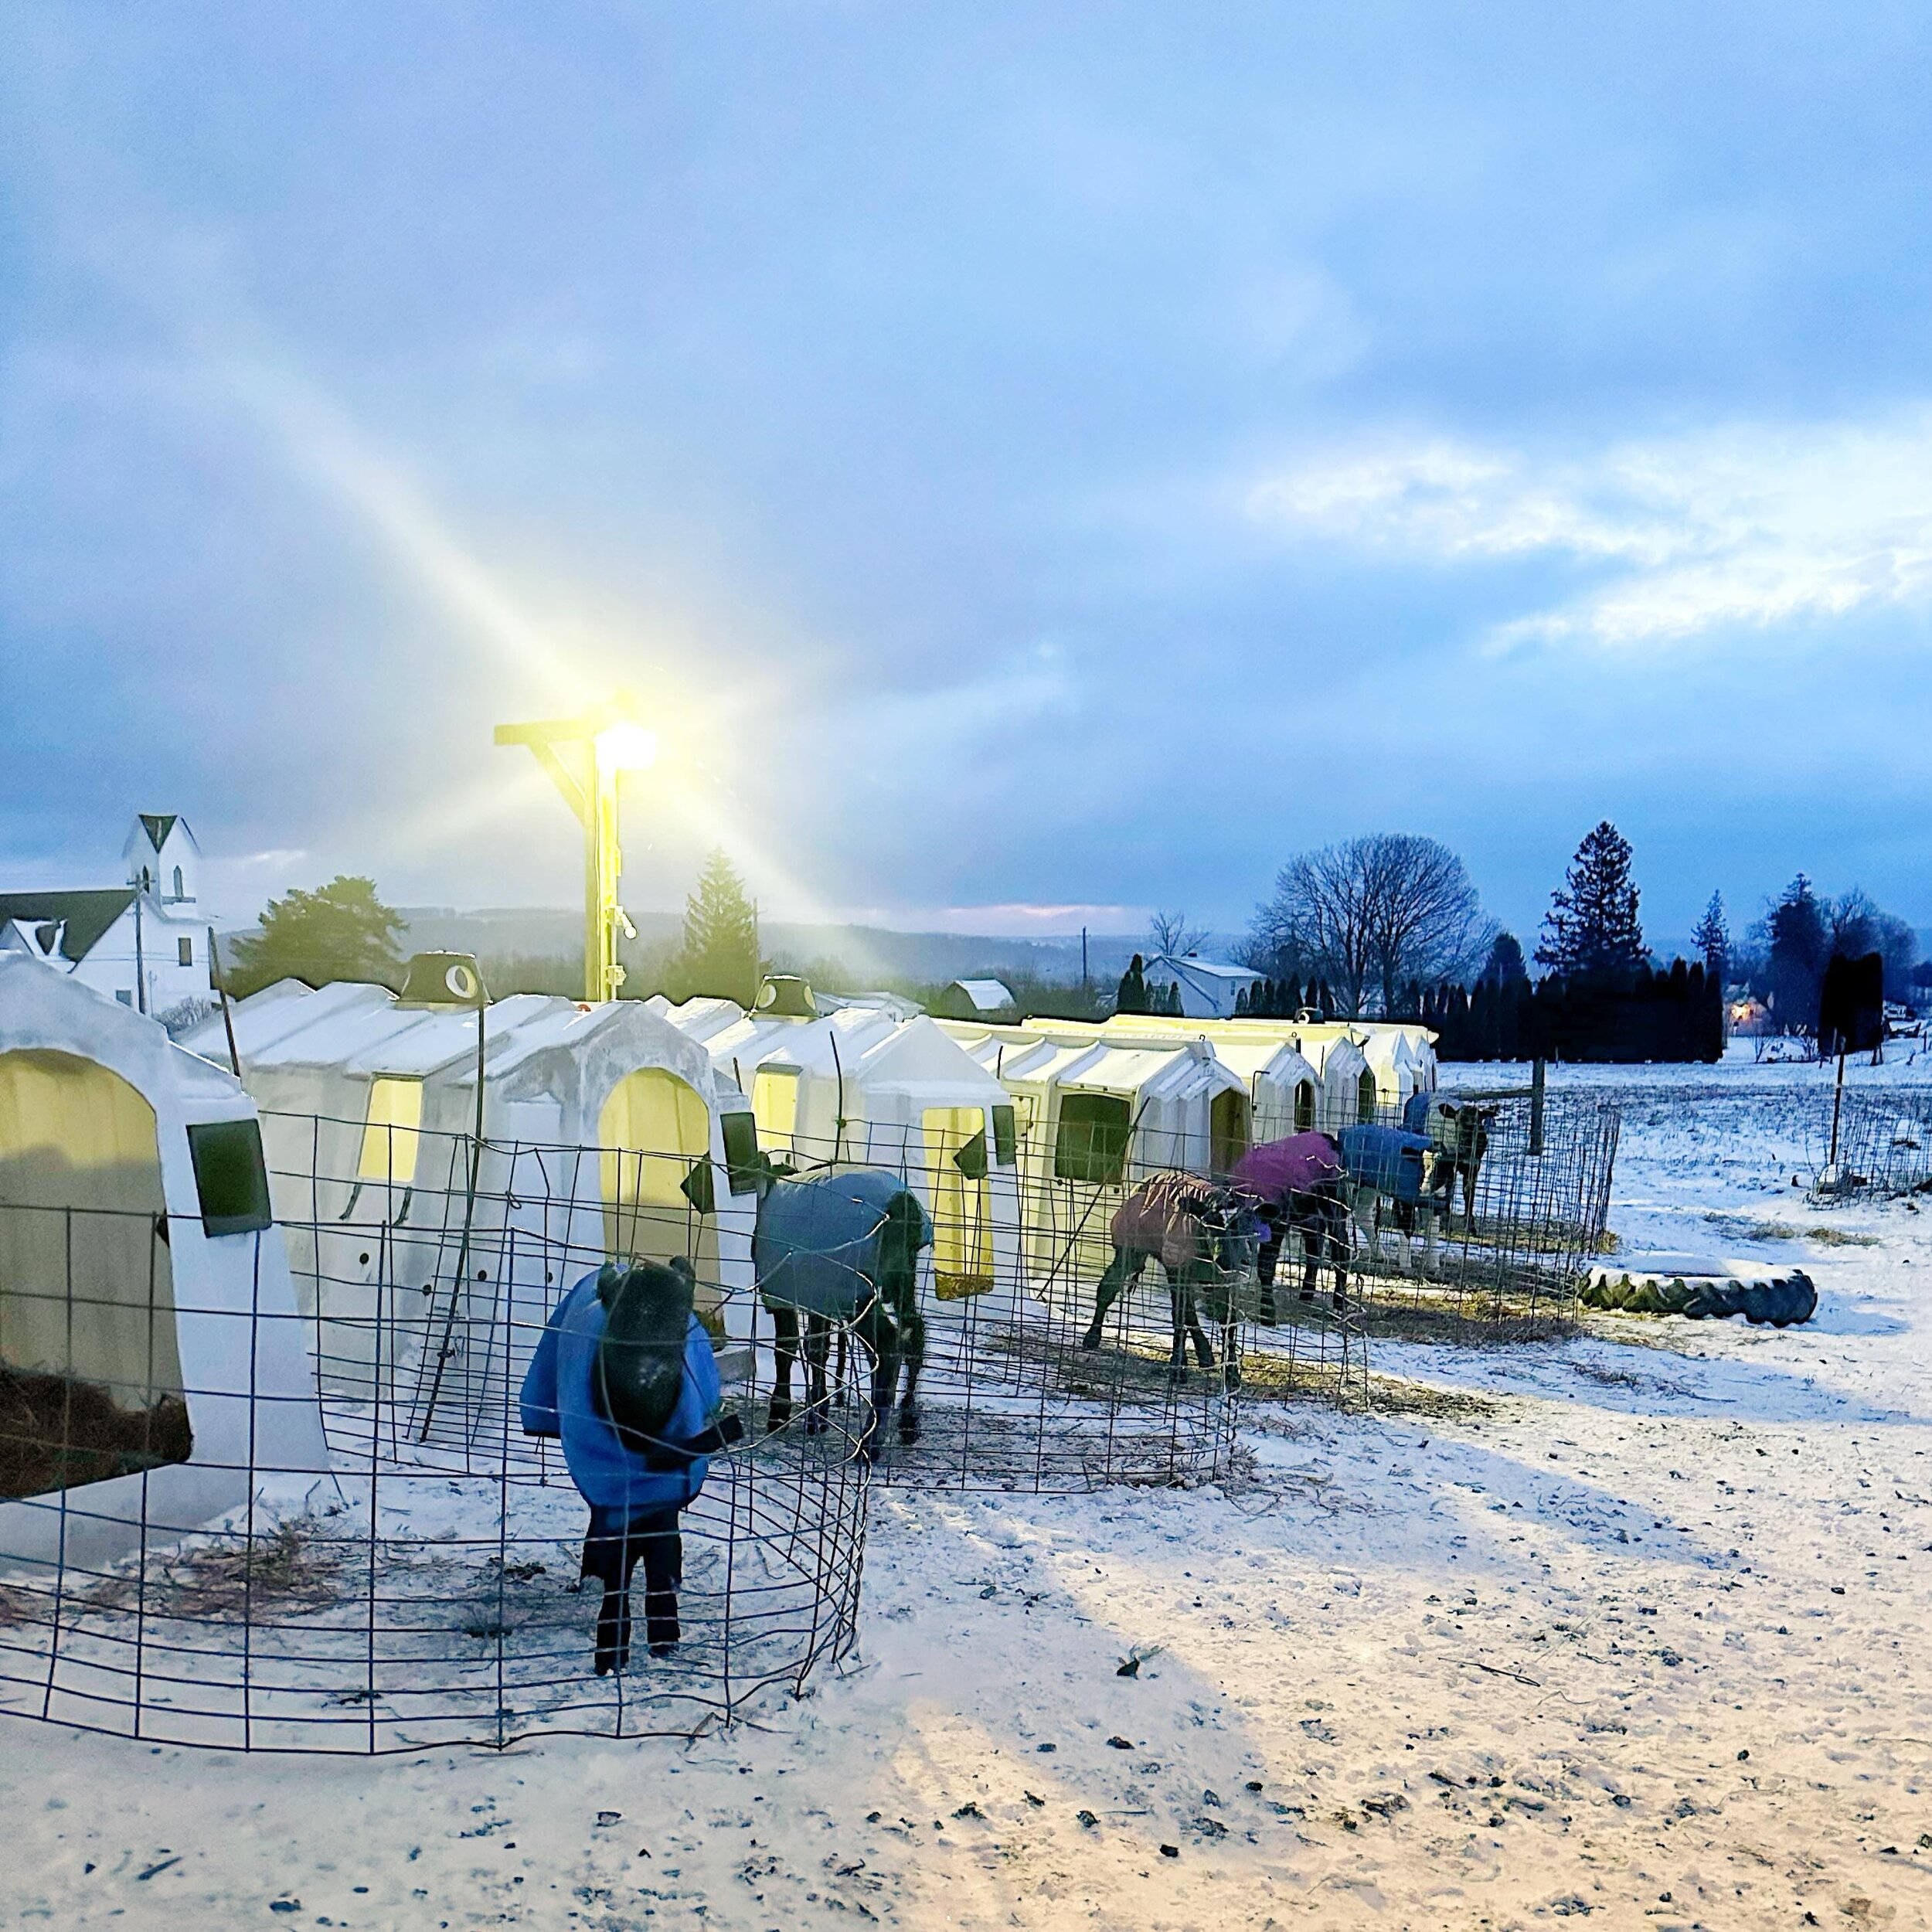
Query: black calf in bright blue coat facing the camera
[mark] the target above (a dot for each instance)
(627, 1380)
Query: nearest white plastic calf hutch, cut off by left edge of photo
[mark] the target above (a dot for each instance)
(150, 1346)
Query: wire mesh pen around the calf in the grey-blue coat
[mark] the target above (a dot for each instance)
(428, 1301)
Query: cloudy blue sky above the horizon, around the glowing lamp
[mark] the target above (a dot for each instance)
(1035, 463)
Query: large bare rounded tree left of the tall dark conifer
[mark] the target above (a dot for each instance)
(1375, 913)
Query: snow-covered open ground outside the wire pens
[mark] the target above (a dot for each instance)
(1632, 1628)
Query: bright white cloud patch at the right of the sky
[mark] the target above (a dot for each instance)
(1680, 536)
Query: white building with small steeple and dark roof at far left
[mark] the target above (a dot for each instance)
(144, 944)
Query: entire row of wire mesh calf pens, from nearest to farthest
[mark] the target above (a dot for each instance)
(378, 1558)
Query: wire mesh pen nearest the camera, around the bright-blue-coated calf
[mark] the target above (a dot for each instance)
(194, 1550)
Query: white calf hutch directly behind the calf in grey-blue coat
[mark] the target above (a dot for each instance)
(861, 1085)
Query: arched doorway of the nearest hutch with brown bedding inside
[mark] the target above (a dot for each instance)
(90, 1359)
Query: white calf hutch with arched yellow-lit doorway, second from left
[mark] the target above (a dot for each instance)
(606, 1131)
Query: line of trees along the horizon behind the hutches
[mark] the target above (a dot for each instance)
(1386, 924)
